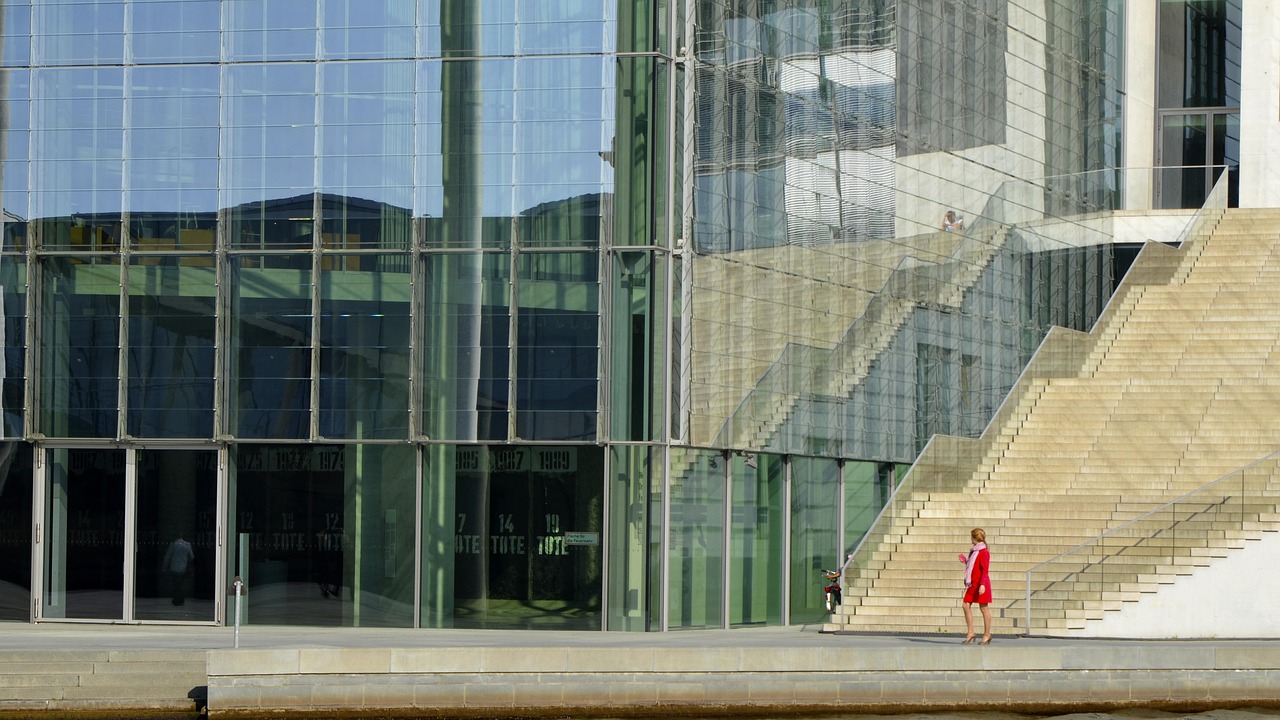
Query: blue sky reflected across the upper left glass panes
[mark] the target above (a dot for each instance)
(194, 138)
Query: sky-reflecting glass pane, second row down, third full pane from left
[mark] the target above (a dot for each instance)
(269, 148)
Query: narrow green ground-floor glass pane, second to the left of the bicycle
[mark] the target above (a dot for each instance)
(757, 541)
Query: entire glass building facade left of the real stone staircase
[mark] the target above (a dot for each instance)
(588, 315)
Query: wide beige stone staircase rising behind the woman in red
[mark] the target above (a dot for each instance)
(1180, 386)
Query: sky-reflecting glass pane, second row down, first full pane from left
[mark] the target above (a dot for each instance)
(77, 152)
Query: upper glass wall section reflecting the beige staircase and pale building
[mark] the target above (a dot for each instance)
(854, 289)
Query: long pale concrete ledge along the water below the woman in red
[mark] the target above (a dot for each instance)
(633, 682)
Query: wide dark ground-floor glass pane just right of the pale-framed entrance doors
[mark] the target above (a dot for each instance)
(322, 535)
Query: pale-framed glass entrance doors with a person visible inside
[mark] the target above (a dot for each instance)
(129, 535)
